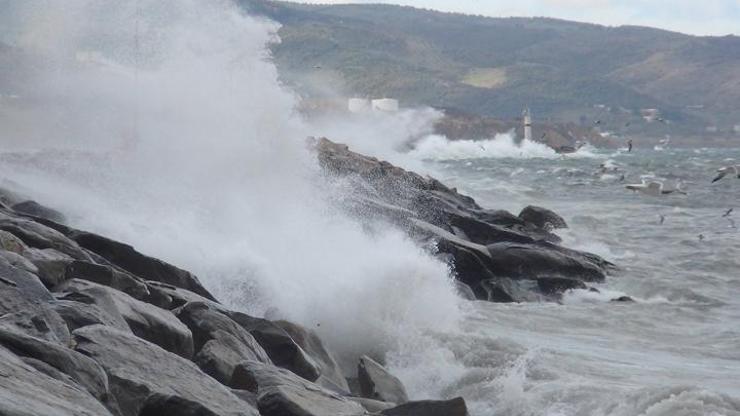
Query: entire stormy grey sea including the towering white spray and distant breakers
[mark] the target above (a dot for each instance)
(185, 144)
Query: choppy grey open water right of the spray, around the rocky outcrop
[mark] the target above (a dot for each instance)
(676, 351)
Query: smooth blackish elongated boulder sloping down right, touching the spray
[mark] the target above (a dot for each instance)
(279, 345)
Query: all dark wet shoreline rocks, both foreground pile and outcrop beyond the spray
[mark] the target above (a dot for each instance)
(91, 326)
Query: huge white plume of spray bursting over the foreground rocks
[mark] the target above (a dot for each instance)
(170, 132)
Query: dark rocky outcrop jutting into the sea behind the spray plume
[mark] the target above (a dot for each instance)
(484, 247)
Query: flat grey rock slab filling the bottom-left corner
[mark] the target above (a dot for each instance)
(25, 391)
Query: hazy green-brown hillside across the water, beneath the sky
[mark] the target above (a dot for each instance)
(565, 71)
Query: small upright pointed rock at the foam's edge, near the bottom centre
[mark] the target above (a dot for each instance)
(378, 384)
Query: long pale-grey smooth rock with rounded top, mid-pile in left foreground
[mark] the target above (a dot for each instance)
(146, 321)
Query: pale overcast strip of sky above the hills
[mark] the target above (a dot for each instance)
(699, 17)
